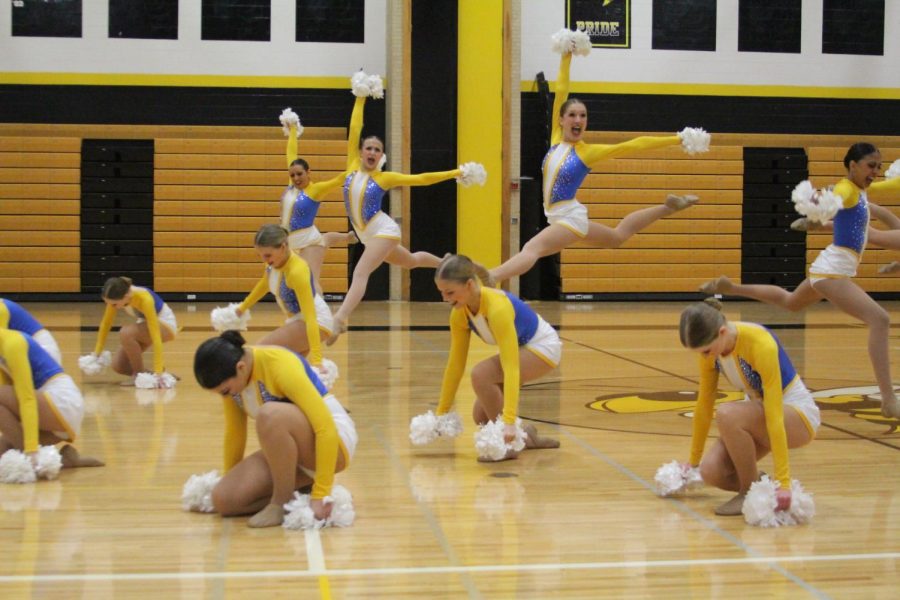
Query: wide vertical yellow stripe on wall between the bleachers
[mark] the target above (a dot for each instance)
(480, 128)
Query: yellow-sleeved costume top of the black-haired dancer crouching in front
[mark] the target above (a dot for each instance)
(280, 375)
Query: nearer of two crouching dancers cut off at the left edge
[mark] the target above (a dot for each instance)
(39, 403)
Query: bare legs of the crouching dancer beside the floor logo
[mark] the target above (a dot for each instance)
(743, 439)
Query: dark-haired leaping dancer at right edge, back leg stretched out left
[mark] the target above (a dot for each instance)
(831, 274)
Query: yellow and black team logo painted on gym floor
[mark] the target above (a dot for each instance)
(860, 402)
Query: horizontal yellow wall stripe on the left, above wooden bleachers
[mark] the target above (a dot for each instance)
(236, 81)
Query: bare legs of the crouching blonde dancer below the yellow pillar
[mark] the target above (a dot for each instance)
(487, 381)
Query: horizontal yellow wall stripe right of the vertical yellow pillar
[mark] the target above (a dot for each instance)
(711, 89)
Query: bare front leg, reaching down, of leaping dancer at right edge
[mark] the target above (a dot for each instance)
(851, 299)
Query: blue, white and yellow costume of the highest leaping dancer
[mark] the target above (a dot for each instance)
(566, 165)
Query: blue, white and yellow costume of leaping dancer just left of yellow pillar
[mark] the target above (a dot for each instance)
(364, 191)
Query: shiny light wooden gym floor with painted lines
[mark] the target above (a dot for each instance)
(580, 521)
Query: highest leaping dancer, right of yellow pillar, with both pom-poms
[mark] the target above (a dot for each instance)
(567, 163)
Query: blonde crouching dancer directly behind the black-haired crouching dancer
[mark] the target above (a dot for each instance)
(288, 278)
